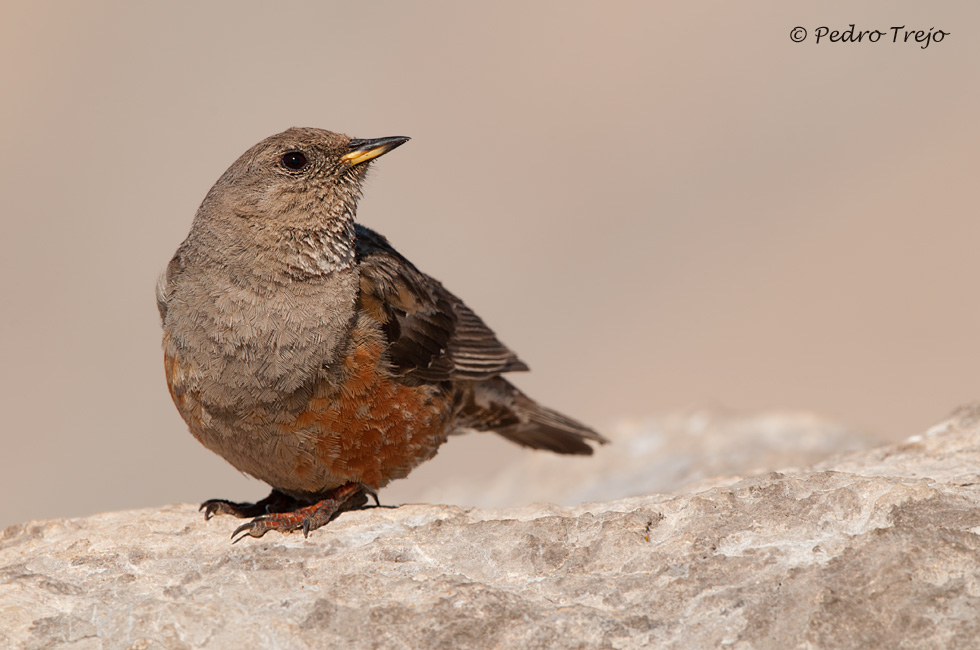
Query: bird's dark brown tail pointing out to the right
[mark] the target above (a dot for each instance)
(496, 405)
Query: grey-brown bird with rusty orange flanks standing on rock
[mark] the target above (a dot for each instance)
(305, 350)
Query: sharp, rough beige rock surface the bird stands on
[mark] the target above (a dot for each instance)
(874, 549)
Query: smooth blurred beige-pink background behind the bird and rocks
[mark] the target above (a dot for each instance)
(659, 205)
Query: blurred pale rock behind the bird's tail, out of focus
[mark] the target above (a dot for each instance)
(649, 456)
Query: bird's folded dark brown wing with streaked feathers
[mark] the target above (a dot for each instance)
(432, 335)
